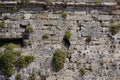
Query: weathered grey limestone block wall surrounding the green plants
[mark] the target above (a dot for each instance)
(91, 42)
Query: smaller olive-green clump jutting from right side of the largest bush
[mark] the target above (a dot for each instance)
(24, 61)
